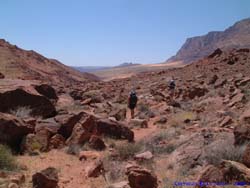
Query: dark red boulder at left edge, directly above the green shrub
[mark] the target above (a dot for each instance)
(12, 130)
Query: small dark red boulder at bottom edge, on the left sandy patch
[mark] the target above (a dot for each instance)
(47, 178)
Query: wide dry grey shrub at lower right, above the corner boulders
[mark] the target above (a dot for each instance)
(225, 151)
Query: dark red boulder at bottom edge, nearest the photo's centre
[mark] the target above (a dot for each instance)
(139, 177)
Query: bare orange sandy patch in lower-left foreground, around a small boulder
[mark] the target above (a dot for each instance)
(71, 170)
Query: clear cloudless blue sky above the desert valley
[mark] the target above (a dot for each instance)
(110, 32)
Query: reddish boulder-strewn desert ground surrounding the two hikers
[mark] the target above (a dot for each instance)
(81, 135)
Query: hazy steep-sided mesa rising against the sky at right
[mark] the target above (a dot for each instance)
(236, 36)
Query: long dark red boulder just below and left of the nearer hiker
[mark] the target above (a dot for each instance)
(114, 129)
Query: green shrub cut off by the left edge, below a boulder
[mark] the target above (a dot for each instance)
(7, 160)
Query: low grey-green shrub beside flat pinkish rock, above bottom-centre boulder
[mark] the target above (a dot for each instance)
(127, 151)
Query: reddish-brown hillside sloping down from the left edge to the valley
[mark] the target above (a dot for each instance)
(16, 63)
